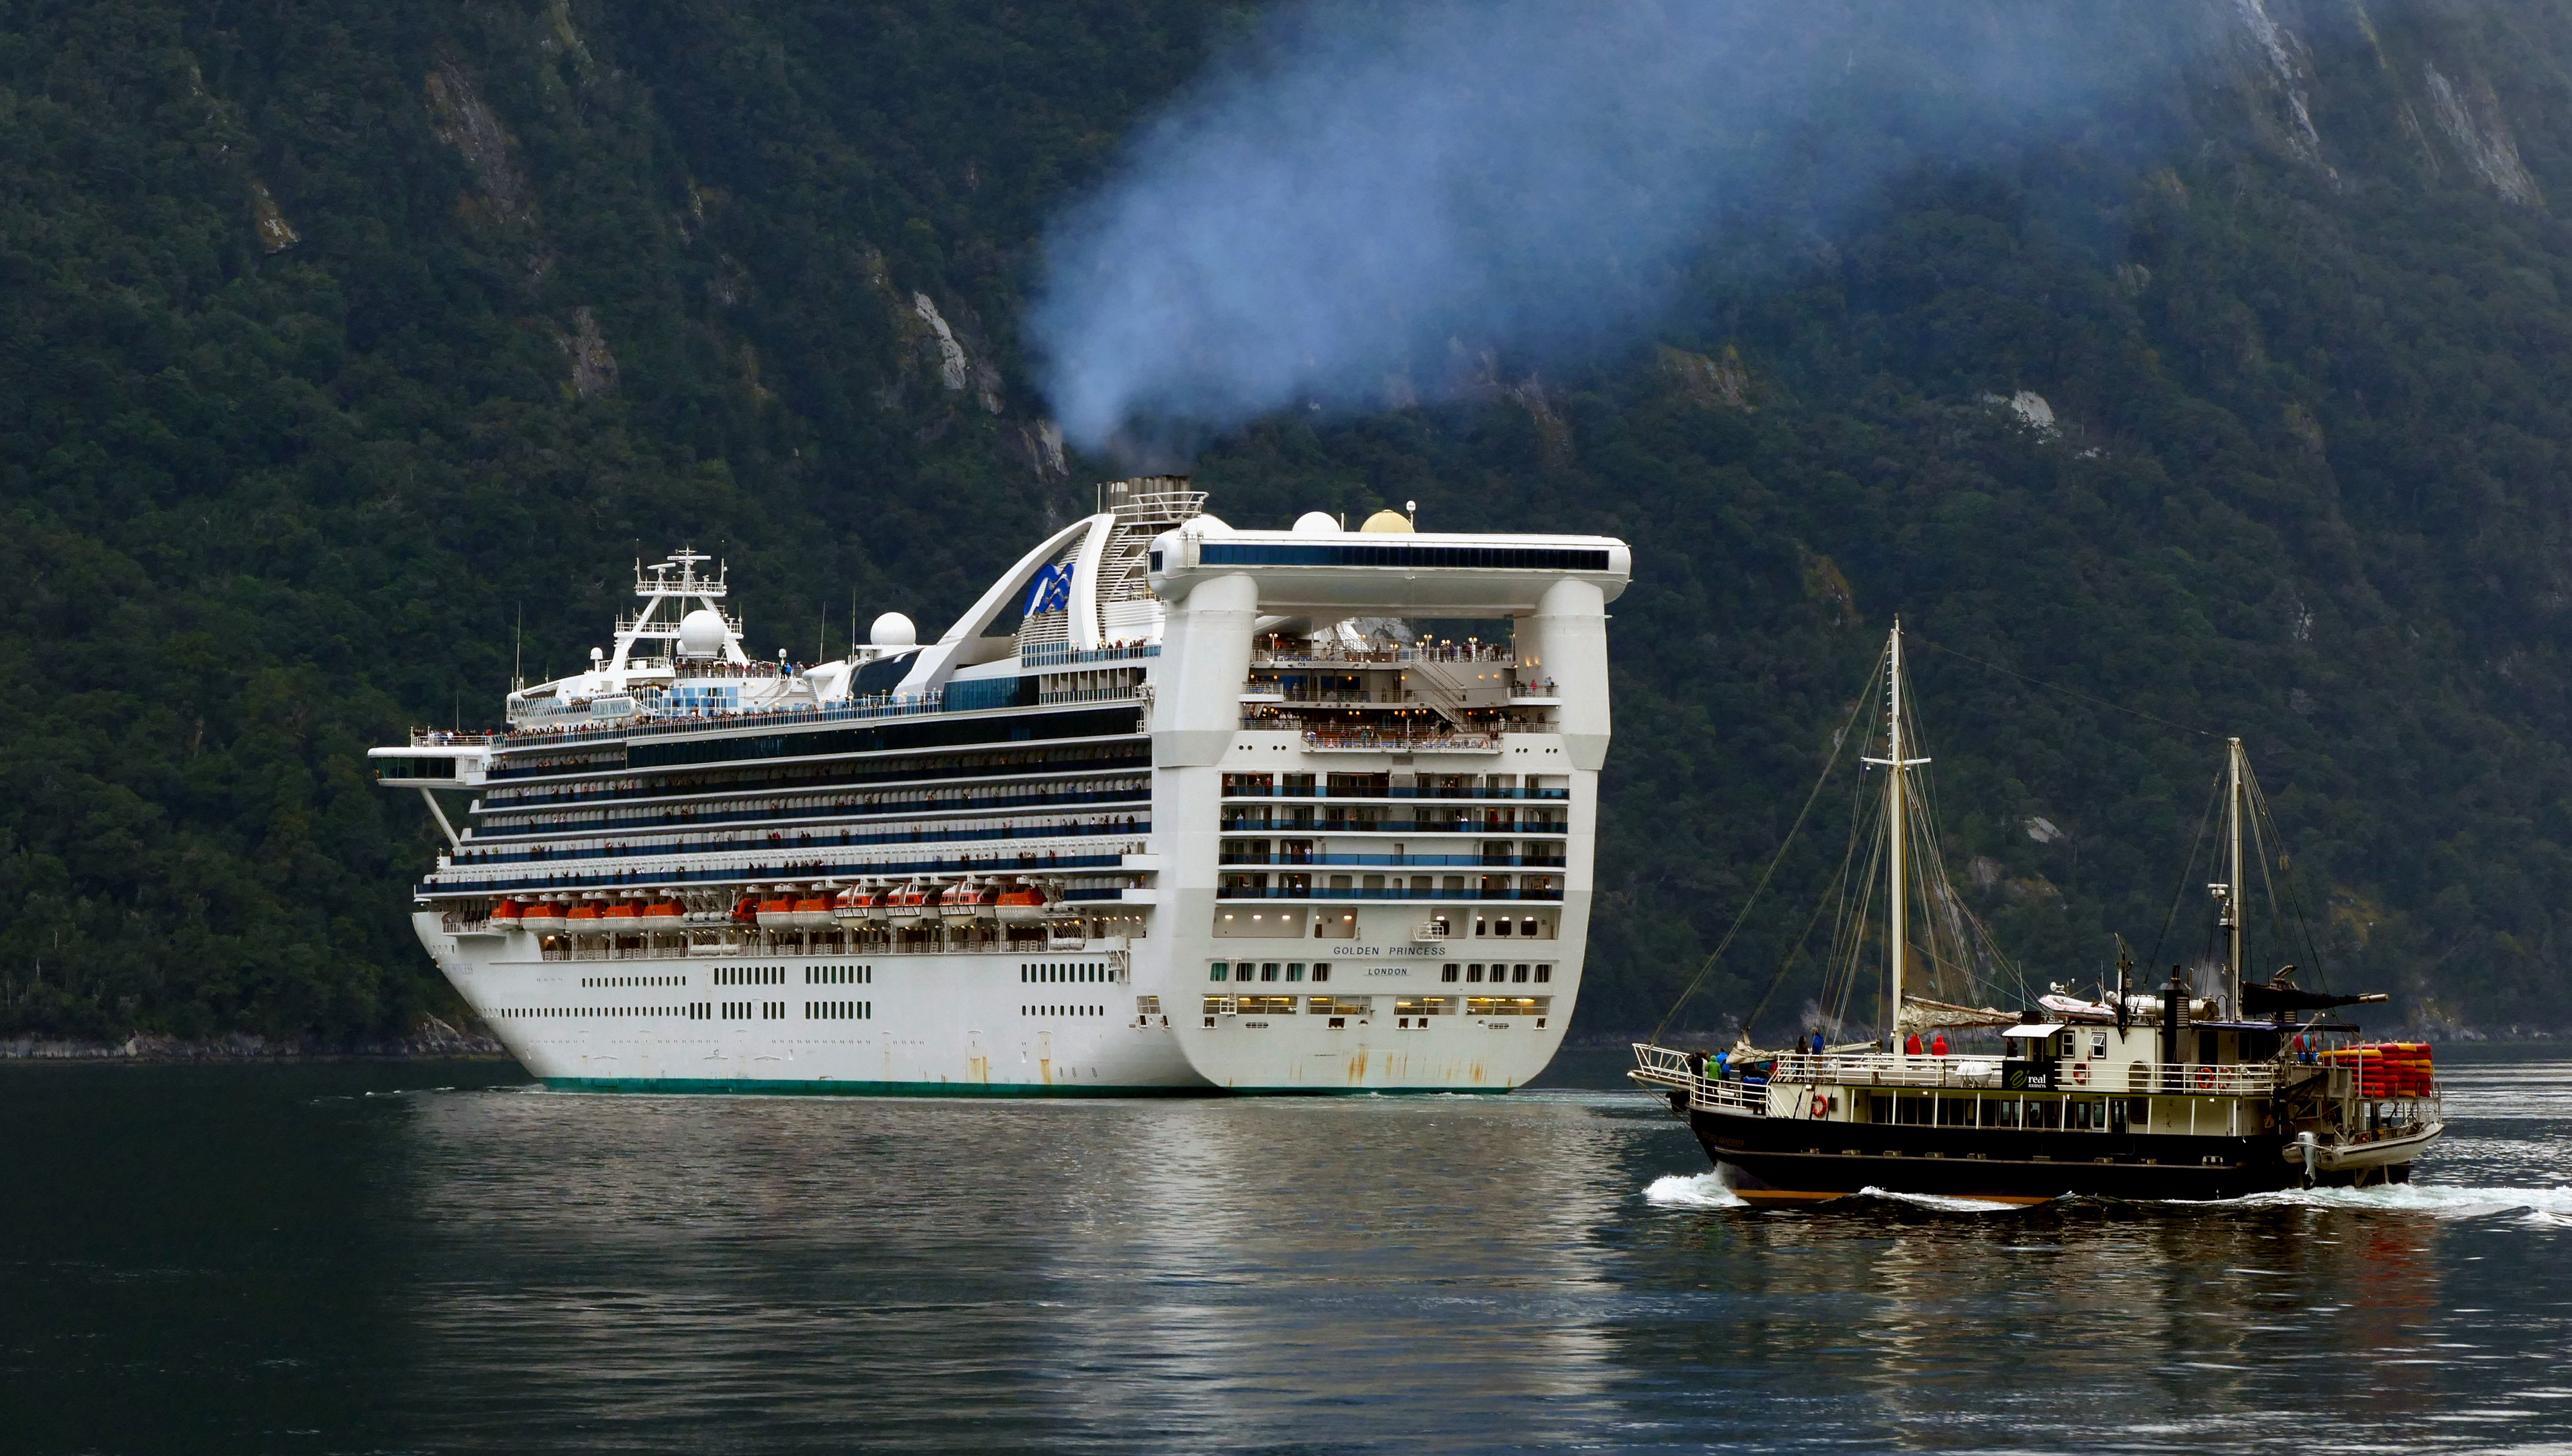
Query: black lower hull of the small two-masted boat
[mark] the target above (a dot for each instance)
(1779, 1159)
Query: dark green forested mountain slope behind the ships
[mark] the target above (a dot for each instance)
(341, 336)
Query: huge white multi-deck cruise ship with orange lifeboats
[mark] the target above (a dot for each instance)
(1174, 809)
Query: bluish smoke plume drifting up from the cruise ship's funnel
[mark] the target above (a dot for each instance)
(1370, 197)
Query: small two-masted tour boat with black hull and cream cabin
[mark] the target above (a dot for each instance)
(2172, 1092)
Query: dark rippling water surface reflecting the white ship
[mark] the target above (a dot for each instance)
(433, 1259)
